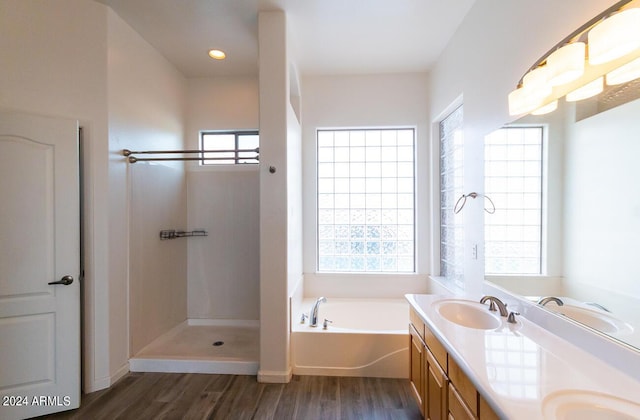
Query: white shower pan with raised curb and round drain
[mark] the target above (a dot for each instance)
(189, 348)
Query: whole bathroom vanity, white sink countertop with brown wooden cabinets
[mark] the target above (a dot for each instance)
(470, 363)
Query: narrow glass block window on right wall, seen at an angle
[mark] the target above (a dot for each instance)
(451, 187)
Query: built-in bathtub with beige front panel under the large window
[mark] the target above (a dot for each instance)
(367, 338)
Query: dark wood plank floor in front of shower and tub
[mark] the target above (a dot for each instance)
(203, 396)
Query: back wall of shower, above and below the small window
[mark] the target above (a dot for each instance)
(224, 267)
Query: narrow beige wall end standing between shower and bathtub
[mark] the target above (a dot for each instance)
(275, 199)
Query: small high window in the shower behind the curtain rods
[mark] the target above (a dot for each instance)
(229, 147)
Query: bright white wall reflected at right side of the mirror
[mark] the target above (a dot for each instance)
(602, 218)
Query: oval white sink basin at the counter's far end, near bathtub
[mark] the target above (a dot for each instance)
(467, 313)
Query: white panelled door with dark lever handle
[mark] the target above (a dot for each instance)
(39, 244)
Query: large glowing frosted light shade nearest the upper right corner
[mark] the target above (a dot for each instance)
(614, 37)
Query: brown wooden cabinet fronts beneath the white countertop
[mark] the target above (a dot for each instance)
(441, 388)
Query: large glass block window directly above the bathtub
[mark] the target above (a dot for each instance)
(366, 200)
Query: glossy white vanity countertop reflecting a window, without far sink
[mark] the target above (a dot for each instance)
(524, 371)
